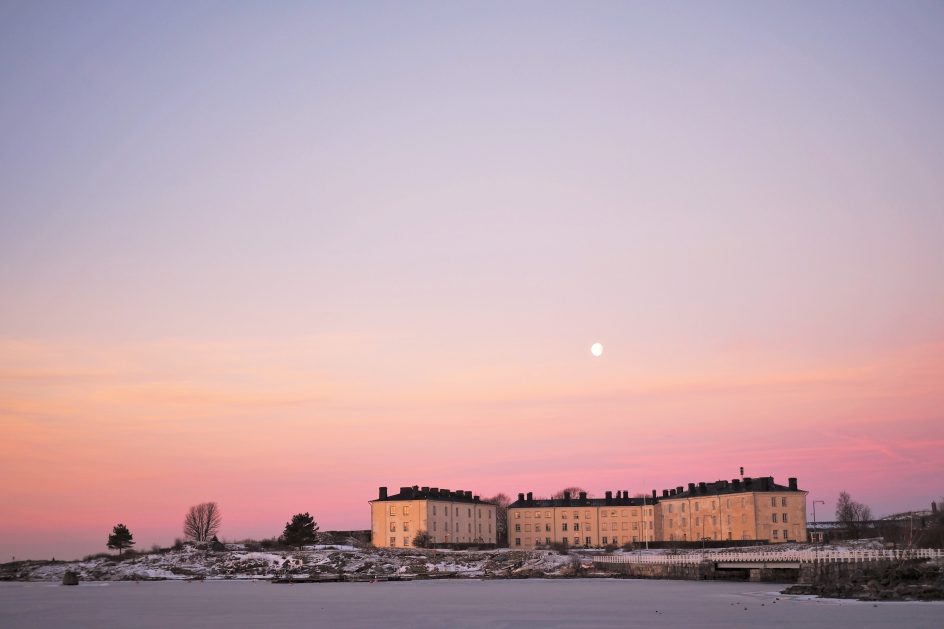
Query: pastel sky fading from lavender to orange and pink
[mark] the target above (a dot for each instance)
(276, 255)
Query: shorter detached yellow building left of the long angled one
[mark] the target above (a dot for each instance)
(449, 517)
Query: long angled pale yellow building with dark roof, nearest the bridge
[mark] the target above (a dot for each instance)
(742, 509)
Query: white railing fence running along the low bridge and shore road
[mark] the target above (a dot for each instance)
(801, 556)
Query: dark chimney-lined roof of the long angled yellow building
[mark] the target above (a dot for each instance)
(720, 487)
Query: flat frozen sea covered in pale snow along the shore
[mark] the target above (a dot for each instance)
(520, 604)
